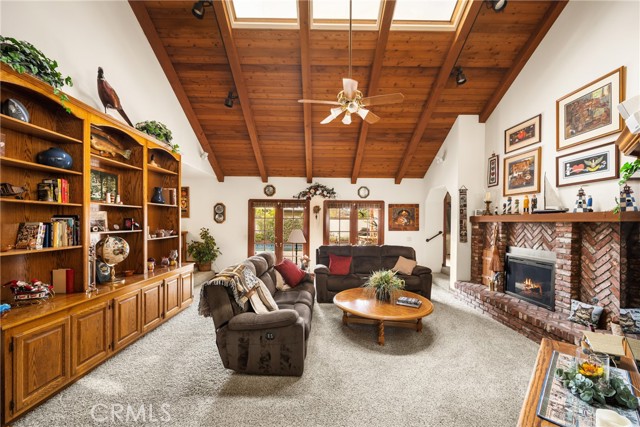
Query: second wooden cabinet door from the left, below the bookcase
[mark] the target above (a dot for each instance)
(91, 337)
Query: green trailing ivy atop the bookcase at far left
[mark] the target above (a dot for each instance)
(24, 57)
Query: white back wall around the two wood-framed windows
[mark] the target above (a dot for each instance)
(234, 192)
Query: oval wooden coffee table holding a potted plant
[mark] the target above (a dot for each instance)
(360, 306)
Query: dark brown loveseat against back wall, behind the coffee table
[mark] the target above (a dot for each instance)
(366, 259)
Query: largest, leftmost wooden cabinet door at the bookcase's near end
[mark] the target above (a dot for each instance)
(41, 362)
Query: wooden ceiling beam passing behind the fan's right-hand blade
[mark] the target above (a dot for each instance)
(376, 70)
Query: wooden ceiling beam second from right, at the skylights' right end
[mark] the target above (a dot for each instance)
(464, 28)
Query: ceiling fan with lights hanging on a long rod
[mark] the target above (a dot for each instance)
(350, 100)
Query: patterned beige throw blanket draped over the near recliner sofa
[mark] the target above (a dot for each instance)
(245, 286)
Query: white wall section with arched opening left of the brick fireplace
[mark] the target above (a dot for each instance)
(461, 150)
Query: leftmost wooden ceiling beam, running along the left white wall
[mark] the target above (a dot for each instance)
(149, 29)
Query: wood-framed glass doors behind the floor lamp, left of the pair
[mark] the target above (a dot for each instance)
(271, 223)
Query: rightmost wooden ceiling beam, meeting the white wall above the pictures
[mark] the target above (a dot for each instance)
(555, 8)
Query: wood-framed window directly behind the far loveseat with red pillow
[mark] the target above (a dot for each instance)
(353, 222)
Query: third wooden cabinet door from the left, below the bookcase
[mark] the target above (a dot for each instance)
(127, 319)
